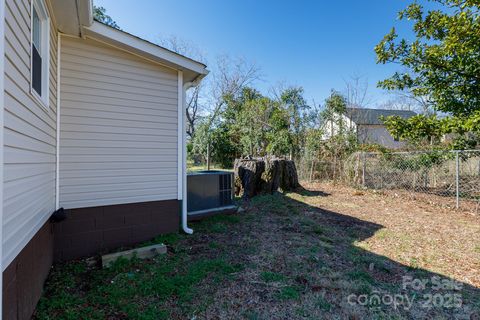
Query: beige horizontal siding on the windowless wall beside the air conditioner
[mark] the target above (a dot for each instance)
(118, 132)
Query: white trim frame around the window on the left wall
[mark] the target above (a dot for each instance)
(42, 11)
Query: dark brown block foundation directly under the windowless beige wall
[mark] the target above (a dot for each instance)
(89, 231)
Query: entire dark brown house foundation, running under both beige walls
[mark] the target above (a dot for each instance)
(85, 232)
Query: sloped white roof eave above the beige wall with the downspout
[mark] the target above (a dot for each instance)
(193, 70)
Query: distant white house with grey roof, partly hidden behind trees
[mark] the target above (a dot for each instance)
(366, 124)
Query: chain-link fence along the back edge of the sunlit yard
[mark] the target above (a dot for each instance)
(450, 177)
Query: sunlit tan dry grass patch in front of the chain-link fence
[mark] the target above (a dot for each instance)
(422, 232)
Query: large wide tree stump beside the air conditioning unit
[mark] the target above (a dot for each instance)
(264, 175)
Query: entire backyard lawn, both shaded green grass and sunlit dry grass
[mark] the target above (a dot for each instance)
(322, 253)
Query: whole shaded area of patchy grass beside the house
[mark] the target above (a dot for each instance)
(323, 274)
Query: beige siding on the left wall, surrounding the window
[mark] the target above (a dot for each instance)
(29, 137)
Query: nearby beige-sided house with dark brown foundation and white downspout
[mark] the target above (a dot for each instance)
(93, 121)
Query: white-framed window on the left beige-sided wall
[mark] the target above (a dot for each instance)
(40, 54)
